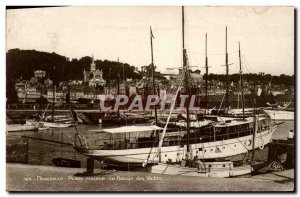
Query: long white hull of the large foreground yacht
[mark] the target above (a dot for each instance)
(208, 150)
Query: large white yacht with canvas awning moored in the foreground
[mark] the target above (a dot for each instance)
(152, 144)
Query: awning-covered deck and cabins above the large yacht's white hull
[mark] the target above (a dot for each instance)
(134, 137)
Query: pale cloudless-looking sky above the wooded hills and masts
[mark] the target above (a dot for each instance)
(266, 35)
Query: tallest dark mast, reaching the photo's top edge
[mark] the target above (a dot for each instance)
(185, 68)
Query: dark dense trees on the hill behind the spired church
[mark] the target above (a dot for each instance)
(24, 62)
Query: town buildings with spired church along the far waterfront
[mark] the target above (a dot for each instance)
(94, 86)
